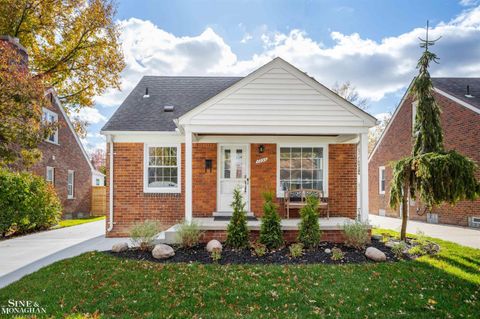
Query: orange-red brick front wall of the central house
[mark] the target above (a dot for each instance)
(132, 205)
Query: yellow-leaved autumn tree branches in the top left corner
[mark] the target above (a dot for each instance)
(73, 45)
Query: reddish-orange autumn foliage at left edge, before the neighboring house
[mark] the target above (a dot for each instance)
(21, 99)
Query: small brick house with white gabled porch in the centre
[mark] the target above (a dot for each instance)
(178, 146)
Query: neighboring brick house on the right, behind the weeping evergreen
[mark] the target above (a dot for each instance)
(459, 100)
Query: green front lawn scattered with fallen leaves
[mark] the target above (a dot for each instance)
(444, 286)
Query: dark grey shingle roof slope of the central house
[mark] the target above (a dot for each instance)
(183, 92)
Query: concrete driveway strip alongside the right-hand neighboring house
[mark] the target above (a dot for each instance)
(460, 235)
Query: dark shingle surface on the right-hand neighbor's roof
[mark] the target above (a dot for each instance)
(457, 87)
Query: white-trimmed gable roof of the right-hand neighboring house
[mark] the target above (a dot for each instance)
(452, 88)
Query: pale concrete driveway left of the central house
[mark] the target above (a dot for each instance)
(23, 255)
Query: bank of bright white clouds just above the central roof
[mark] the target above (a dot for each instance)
(376, 68)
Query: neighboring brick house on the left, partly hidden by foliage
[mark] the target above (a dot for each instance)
(64, 161)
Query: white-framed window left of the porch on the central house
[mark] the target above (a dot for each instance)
(162, 169)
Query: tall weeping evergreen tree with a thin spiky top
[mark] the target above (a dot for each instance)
(431, 174)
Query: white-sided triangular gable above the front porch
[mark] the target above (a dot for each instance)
(272, 74)
